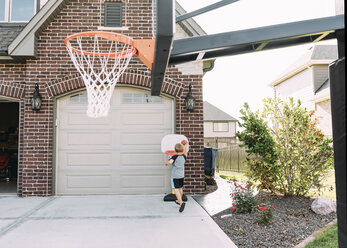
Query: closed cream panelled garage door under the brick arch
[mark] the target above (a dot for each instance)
(118, 154)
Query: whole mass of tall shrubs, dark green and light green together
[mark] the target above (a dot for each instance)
(290, 154)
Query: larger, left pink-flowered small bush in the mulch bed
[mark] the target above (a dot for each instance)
(243, 198)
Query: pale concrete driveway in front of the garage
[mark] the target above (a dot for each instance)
(106, 221)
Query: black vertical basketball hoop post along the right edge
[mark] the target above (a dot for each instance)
(338, 113)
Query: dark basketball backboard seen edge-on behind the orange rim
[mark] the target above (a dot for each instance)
(163, 43)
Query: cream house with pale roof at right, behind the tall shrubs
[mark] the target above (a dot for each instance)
(308, 80)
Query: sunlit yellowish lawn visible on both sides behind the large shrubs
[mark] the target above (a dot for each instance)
(328, 190)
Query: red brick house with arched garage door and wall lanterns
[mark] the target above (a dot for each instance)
(60, 150)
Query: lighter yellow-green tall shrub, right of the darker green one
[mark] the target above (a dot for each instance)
(304, 155)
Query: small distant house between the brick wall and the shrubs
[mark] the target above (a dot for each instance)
(219, 127)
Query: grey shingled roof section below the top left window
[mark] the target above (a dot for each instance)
(8, 32)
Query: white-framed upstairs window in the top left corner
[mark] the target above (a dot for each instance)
(17, 10)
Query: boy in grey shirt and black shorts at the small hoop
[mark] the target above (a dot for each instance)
(177, 162)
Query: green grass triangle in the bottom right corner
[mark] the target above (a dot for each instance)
(327, 239)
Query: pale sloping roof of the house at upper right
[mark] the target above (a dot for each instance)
(315, 55)
